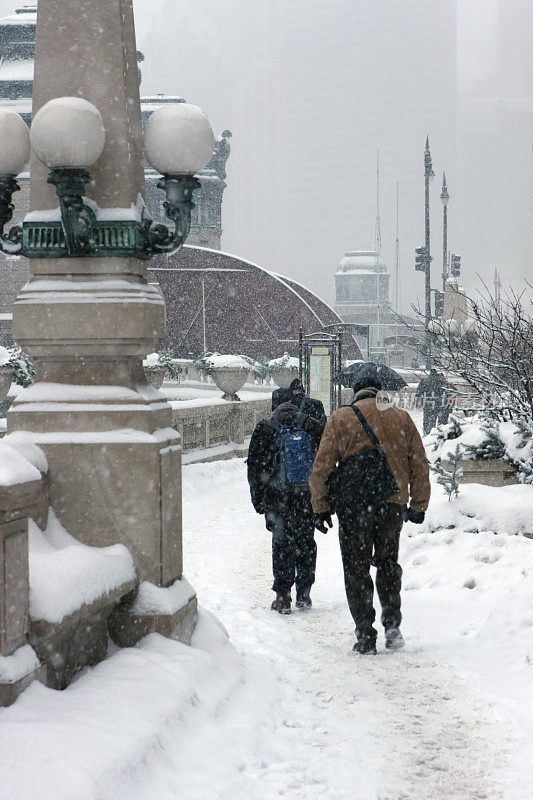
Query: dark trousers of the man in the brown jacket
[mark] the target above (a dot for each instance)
(373, 537)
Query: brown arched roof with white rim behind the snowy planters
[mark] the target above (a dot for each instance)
(223, 303)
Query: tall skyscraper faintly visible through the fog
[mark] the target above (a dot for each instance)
(334, 82)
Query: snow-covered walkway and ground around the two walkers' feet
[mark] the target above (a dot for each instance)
(284, 708)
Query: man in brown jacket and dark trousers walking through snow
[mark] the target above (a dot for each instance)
(372, 534)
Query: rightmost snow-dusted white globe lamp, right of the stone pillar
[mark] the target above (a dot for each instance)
(178, 139)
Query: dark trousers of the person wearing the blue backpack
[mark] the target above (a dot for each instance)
(293, 546)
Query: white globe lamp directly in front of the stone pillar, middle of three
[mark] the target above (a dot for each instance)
(68, 132)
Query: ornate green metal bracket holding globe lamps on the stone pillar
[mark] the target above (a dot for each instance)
(78, 232)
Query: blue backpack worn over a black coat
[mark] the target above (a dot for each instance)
(293, 454)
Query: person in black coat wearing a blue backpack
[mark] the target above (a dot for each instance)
(287, 510)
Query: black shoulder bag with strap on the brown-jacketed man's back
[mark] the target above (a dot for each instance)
(363, 481)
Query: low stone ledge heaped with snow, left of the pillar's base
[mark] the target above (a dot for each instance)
(56, 594)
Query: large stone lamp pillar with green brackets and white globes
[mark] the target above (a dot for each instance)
(88, 315)
